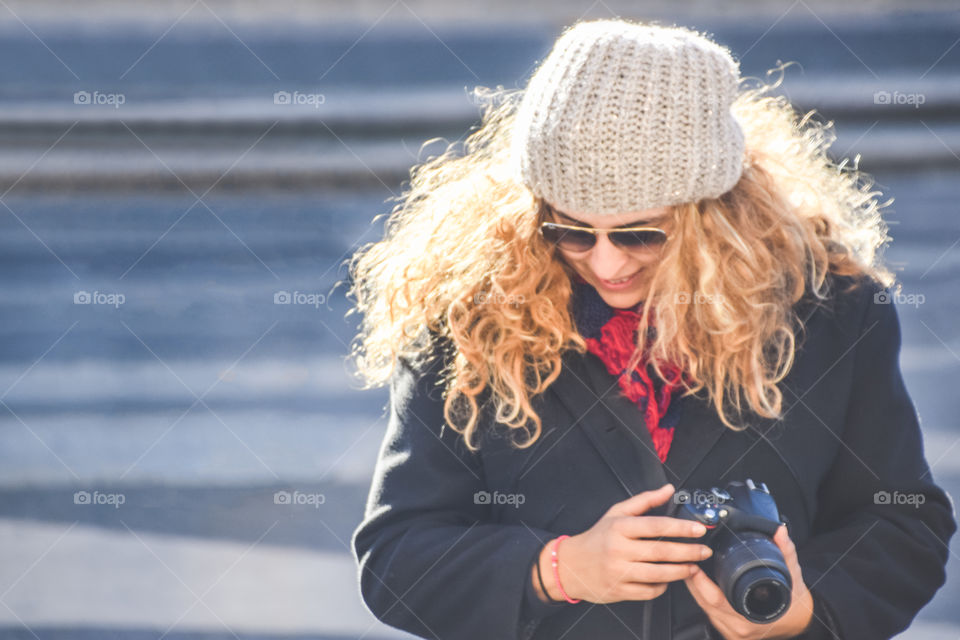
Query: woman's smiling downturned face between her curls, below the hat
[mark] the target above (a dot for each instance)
(605, 262)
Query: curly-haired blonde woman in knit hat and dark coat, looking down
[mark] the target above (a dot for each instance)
(637, 278)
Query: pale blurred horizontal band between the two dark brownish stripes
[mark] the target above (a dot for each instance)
(276, 157)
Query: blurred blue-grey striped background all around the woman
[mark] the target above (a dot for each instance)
(183, 453)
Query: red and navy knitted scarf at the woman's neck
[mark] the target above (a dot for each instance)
(610, 335)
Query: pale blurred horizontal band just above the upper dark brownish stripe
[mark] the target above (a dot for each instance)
(375, 112)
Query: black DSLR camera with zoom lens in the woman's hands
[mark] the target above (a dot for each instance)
(746, 563)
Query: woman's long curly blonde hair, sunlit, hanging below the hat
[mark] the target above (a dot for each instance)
(462, 259)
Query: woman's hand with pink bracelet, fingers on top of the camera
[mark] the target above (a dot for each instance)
(619, 557)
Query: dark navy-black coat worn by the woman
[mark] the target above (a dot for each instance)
(440, 562)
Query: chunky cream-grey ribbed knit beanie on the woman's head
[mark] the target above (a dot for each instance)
(623, 116)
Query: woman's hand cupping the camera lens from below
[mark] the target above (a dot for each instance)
(734, 626)
